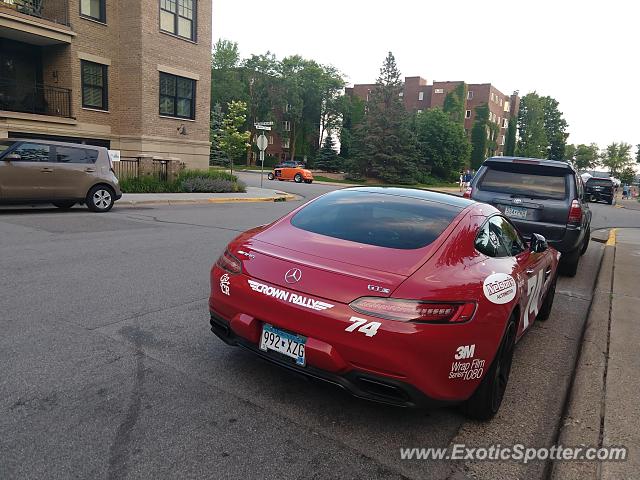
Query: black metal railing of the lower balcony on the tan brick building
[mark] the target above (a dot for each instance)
(34, 98)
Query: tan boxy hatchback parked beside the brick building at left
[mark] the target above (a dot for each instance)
(39, 171)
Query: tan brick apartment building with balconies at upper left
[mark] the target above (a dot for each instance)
(130, 75)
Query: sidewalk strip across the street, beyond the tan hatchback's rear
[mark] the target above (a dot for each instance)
(253, 194)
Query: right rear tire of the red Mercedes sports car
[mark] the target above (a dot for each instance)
(486, 400)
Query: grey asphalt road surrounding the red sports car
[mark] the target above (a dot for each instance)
(109, 369)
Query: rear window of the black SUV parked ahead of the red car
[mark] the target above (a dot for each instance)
(529, 181)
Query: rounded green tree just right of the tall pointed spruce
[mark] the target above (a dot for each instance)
(442, 144)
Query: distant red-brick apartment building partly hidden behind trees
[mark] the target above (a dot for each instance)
(418, 95)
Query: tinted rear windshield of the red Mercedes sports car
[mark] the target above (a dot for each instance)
(382, 220)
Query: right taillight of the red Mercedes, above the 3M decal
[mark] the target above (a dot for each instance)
(414, 310)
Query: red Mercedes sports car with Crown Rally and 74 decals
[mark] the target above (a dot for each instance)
(401, 296)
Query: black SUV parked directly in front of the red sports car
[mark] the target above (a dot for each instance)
(539, 196)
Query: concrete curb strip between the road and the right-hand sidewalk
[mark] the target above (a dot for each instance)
(583, 419)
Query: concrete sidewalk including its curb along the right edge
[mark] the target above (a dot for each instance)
(603, 405)
